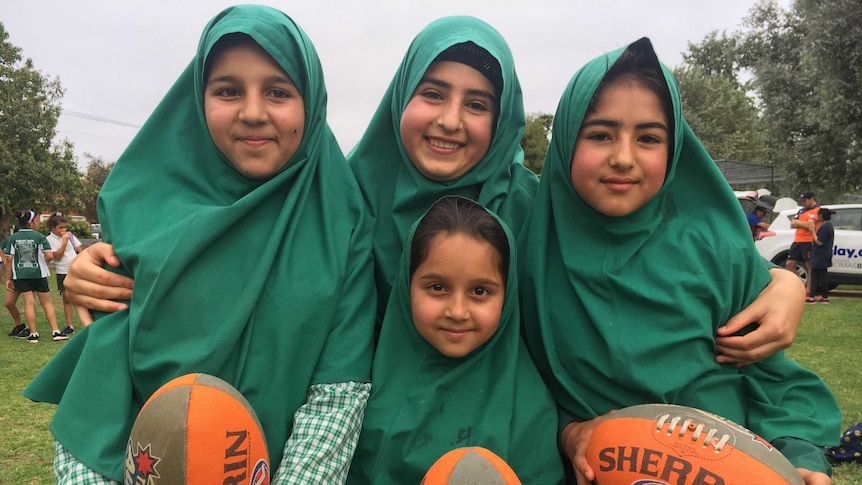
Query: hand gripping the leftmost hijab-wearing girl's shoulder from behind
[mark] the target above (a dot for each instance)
(91, 286)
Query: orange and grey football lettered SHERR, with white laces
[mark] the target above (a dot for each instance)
(666, 444)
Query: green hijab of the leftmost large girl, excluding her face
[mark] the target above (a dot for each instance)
(263, 283)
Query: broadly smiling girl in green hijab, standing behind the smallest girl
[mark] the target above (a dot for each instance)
(450, 123)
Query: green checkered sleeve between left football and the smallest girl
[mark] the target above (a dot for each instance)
(325, 431)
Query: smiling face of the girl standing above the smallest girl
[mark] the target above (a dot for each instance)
(447, 125)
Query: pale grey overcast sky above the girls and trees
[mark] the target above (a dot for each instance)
(116, 59)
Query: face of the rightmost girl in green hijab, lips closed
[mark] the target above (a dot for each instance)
(620, 157)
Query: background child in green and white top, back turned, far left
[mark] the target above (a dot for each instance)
(30, 253)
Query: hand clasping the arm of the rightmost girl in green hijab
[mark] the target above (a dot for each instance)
(778, 309)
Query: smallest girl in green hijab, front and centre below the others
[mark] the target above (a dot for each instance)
(450, 369)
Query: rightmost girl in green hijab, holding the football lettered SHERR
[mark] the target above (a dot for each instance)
(634, 254)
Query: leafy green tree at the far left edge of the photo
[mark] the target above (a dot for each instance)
(34, 174)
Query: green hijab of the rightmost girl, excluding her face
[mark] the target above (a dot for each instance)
(623, 310)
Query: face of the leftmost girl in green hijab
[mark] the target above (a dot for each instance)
(253, 110)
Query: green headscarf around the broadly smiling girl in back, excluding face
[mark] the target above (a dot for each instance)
(396, 192)
